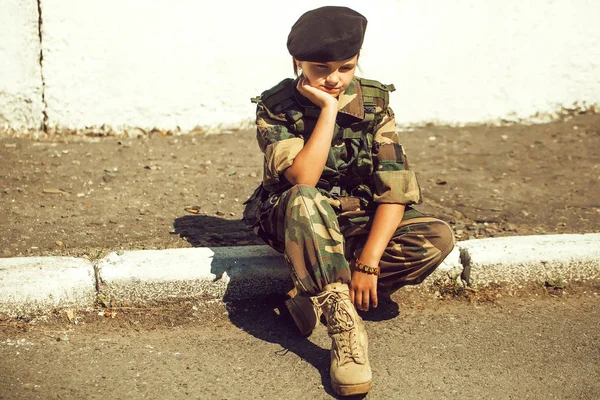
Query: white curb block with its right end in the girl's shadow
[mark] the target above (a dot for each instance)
(146, 277)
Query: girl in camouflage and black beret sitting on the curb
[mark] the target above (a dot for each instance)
(337, 194)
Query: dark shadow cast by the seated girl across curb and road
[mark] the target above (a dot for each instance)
(264, 317)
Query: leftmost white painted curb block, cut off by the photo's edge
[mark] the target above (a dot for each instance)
(38, 285)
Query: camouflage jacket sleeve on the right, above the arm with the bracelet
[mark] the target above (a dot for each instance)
(394, 181)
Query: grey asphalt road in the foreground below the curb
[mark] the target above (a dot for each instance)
(537, 347)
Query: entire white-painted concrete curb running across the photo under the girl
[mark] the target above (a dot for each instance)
(30, 286)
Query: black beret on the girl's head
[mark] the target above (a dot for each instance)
(327, 34)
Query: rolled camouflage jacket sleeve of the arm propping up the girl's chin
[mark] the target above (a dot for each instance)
(279, 145)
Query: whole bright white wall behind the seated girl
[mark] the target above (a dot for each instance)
(190, 63)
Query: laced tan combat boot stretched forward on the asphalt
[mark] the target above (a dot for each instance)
(350, 370)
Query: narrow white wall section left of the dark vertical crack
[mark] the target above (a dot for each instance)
(21, 106)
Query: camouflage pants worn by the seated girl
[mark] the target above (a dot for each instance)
(318, 242)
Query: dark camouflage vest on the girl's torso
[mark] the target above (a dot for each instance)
(350, 161)
